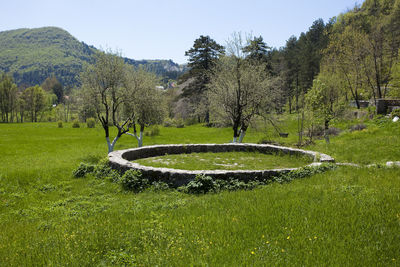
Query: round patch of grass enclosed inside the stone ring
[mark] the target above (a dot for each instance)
(226, 161)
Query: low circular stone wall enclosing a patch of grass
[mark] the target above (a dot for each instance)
(121, 160)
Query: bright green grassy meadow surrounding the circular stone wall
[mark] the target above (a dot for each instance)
(347, 216)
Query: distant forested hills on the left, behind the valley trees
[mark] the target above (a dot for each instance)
(32, 55)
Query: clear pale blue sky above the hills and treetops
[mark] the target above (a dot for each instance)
(165, 29)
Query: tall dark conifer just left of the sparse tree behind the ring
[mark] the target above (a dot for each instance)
(202, 58)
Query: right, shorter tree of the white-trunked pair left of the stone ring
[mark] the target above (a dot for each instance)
(144, 101)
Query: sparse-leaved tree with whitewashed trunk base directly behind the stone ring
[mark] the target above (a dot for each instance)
(239, 88)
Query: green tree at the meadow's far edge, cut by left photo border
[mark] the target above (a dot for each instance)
(8, 98)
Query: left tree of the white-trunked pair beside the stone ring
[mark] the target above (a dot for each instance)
(105, 86)
